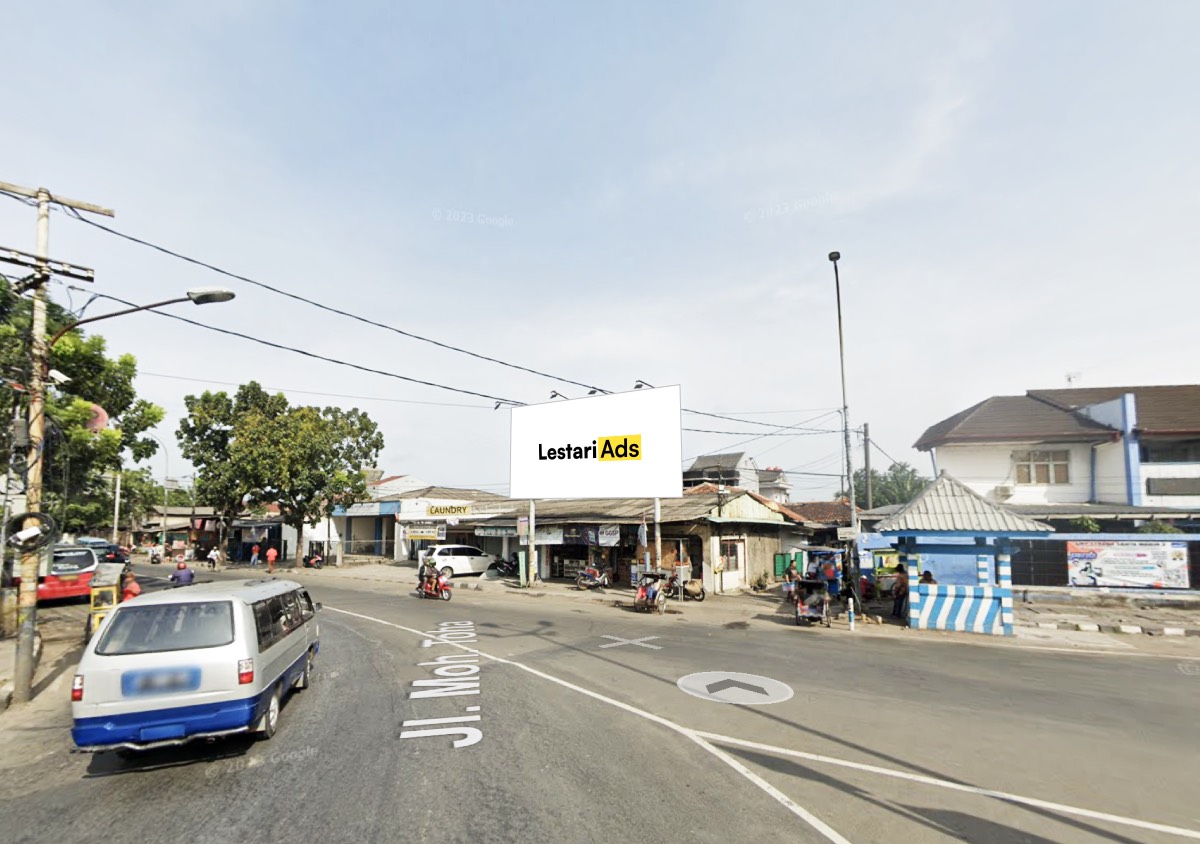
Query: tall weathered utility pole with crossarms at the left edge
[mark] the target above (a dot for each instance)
(27, 597)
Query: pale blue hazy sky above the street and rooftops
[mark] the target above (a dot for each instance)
(622, 191)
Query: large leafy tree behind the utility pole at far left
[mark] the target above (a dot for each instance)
(75, 457)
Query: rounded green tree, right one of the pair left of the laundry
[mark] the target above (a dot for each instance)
(308, 460)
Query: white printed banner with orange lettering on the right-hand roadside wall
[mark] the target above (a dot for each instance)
(1148, 565)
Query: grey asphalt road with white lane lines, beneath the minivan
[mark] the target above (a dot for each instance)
(586, 737)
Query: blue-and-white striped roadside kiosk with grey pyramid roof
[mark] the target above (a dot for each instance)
(951, 519)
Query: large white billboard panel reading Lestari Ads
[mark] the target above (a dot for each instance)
(625, 446)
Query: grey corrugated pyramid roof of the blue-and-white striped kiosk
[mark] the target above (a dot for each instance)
(947, 505)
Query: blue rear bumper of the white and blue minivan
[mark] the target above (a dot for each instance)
(164, 728)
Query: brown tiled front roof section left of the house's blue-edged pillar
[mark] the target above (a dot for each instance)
(1013, 418)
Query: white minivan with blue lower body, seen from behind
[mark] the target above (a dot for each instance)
(207, 661)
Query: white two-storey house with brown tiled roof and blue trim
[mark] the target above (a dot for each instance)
(1136, 446)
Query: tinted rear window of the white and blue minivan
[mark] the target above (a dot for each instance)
(167, 627)
